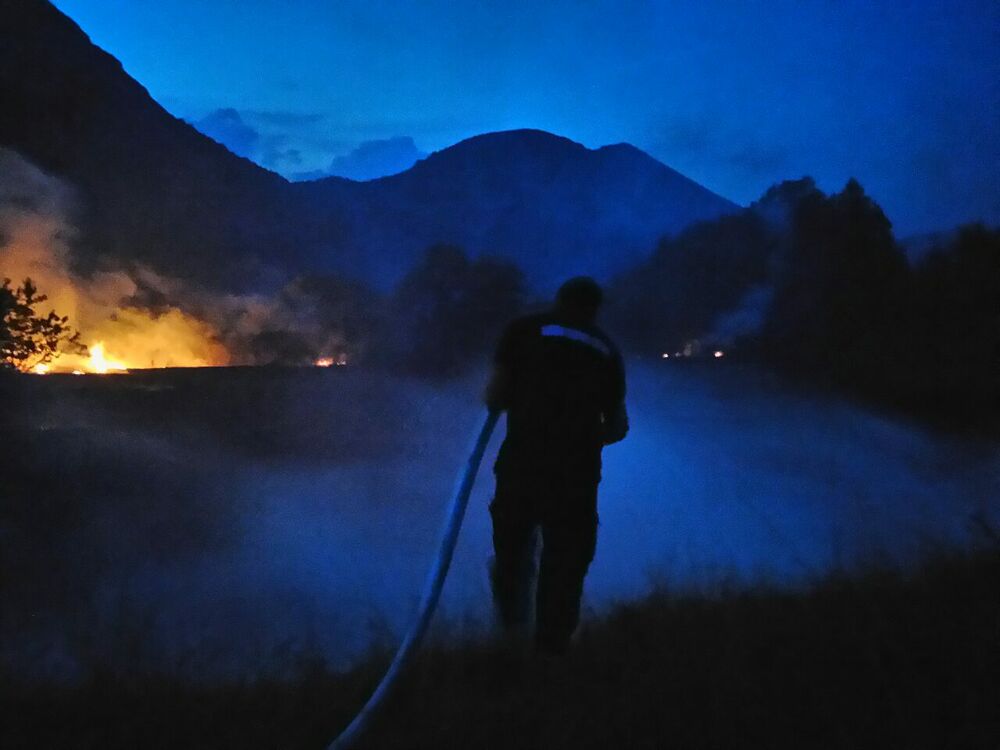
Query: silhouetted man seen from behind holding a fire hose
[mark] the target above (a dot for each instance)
(562, 382)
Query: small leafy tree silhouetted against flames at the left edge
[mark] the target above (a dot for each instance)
(27, 338)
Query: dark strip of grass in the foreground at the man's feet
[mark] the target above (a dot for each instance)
(881, 660)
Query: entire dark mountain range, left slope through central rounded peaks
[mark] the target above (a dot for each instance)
(154, 190)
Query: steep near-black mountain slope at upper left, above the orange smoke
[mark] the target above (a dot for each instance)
(151, 188)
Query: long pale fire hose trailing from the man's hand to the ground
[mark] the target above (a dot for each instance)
(432, 591)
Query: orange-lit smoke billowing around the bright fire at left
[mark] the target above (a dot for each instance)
(141, 317)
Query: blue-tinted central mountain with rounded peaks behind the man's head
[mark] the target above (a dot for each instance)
(552, 205)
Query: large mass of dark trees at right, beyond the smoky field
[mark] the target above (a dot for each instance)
(840, 305)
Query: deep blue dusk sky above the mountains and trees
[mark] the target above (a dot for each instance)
(737, 95)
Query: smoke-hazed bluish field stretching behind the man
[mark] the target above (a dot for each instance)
(208, 525)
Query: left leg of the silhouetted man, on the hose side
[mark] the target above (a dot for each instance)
(512, 570)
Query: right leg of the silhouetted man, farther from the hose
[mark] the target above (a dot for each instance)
(568, 545)
